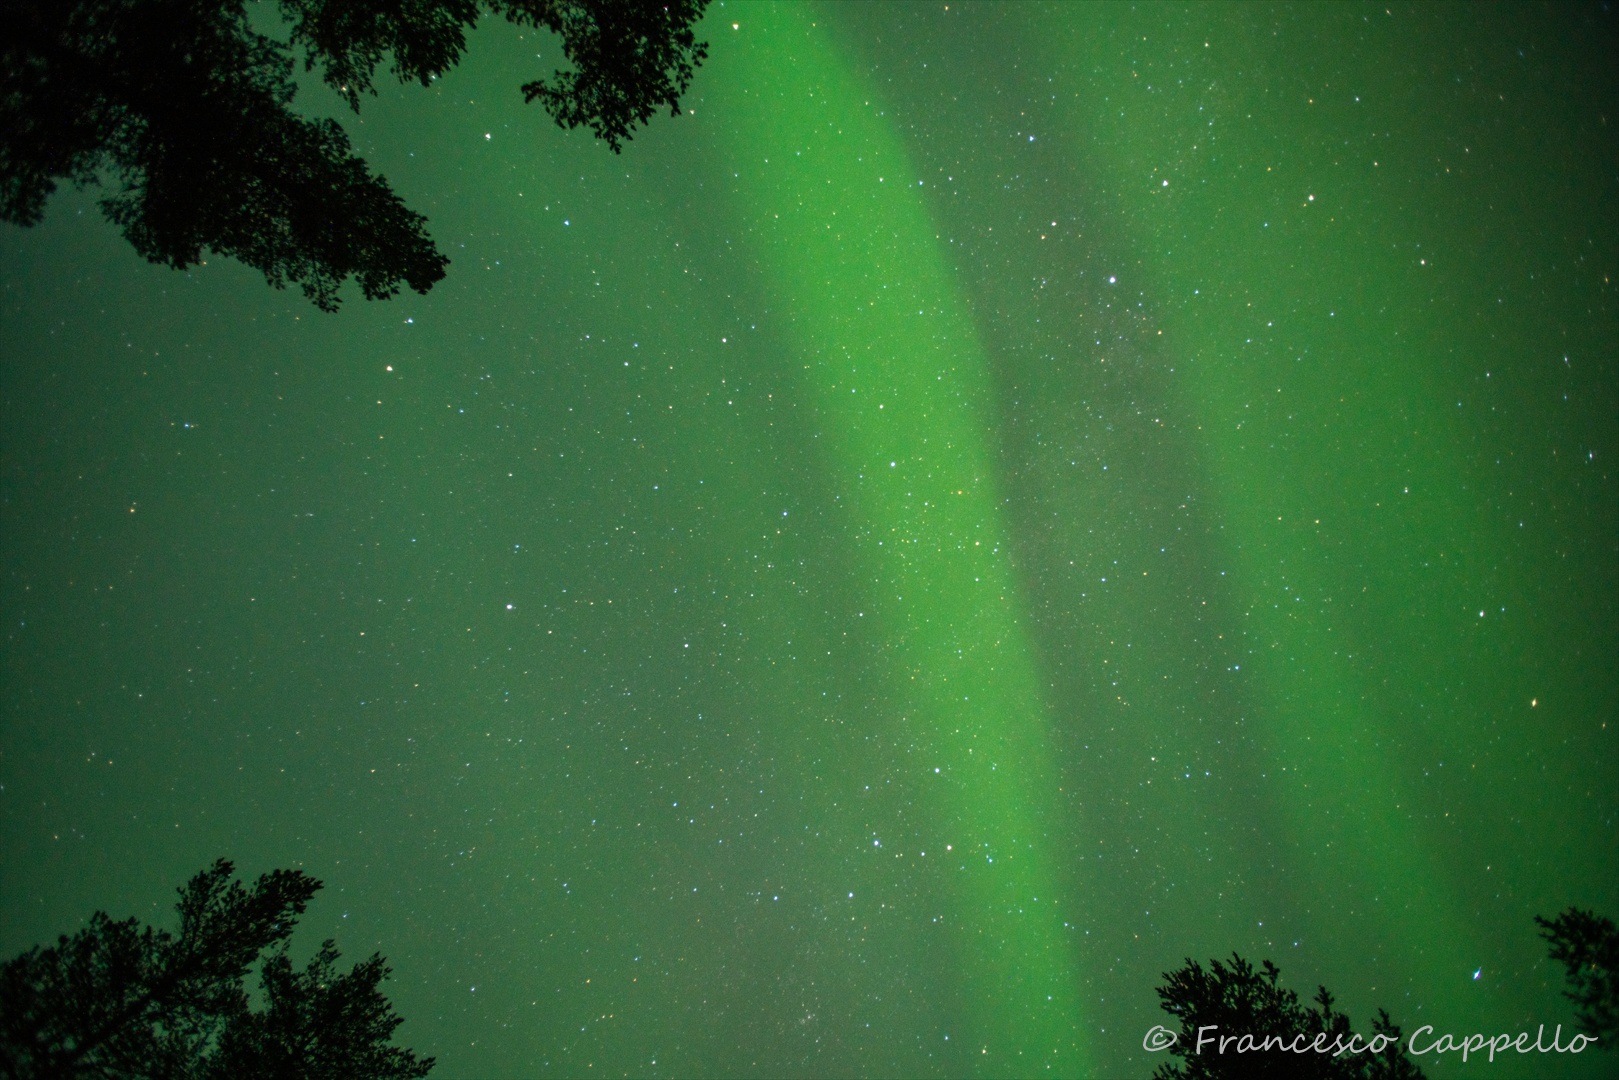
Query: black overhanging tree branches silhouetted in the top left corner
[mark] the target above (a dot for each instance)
(189, 111)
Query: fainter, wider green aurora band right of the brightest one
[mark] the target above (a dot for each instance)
(1317, 427)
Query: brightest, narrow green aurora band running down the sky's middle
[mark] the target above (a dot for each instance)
(901, 391)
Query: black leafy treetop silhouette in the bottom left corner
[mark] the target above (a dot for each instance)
(129, 1001)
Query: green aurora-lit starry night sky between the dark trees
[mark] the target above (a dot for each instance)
(992, 503)
